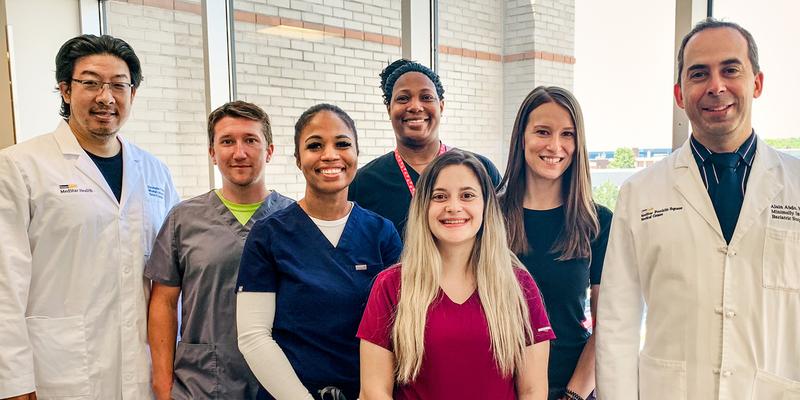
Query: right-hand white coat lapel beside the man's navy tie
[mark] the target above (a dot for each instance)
(763, 185)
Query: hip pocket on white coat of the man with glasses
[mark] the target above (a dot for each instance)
(60, 356)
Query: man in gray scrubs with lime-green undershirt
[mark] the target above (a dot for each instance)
(197, 255)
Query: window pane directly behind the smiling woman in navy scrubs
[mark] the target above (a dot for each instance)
(290, 56)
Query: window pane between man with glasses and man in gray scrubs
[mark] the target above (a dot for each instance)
(168, 116)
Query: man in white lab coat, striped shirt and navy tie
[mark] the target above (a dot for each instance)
(709, 240)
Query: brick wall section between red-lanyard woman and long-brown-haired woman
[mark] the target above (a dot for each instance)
(492, 53)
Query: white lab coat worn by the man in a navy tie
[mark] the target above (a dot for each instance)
(723, 321)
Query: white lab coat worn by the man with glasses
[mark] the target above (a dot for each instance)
(73, 299)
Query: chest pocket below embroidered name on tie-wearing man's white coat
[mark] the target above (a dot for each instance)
(781, 261)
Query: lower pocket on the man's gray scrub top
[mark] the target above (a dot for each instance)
(196, 372)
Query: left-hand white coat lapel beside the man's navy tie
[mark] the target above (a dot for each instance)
(689, 184)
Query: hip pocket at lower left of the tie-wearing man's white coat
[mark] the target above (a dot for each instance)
(658, 377)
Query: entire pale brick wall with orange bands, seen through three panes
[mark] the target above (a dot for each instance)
(291, 54)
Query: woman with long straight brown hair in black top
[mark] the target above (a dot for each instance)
(557, 230)
